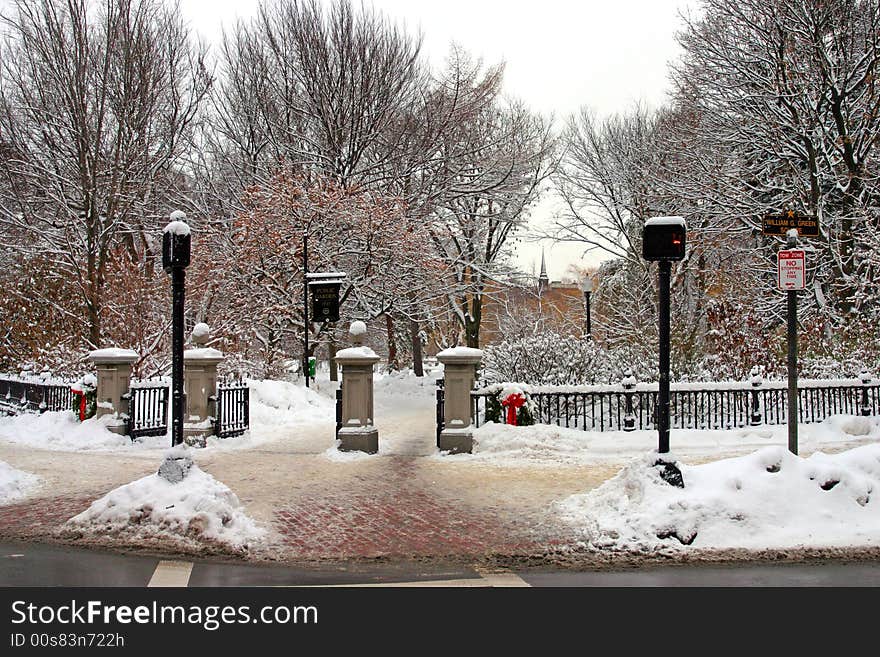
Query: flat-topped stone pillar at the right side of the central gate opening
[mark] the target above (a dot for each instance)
(459, 373)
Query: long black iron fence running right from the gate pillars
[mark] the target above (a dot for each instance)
(692, 406)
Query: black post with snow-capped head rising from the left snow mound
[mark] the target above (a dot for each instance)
(175, 260)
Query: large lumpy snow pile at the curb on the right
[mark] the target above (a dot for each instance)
(767, 499)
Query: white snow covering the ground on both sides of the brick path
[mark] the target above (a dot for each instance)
(743, 489)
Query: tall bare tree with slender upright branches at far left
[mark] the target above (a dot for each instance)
(96, 105)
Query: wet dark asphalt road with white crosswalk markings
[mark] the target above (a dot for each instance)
(43, 565)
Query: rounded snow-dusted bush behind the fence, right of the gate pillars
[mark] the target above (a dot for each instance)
(554, 359)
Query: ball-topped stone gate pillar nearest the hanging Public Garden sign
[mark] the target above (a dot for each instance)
(357, 432)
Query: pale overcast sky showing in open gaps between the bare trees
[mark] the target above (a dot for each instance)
(559, 54)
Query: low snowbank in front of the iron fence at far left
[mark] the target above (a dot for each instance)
(62, 430)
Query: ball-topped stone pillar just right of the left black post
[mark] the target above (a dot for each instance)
(200, 386)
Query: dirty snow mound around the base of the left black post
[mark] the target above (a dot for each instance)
(199, 508)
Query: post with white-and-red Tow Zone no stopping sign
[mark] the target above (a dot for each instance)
(791, 277)
